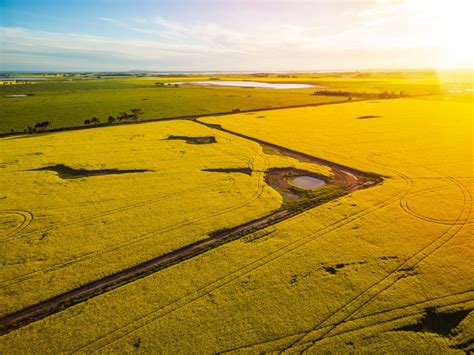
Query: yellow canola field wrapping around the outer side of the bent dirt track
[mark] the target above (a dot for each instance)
(348, 274)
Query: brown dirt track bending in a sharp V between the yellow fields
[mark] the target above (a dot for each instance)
(347, 179)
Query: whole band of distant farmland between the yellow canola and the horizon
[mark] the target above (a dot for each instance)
(70, 102)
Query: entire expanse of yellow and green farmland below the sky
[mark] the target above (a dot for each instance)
(196, 233)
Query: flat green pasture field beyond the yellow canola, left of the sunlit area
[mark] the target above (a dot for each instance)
(70, 103)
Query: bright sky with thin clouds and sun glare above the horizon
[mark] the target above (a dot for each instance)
(235, 34)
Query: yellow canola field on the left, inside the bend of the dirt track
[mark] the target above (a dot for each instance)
(57, 234)
